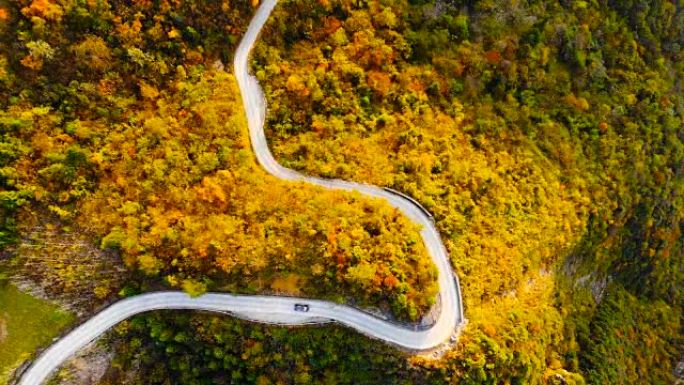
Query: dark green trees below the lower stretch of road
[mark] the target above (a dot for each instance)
(209, 349)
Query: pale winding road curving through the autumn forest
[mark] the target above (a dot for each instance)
(273, 309)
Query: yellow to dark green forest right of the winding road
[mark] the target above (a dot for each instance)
(547, 139)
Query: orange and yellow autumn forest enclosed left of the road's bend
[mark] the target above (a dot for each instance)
(118, 121)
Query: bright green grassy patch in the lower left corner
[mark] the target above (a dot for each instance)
(25, 324)
